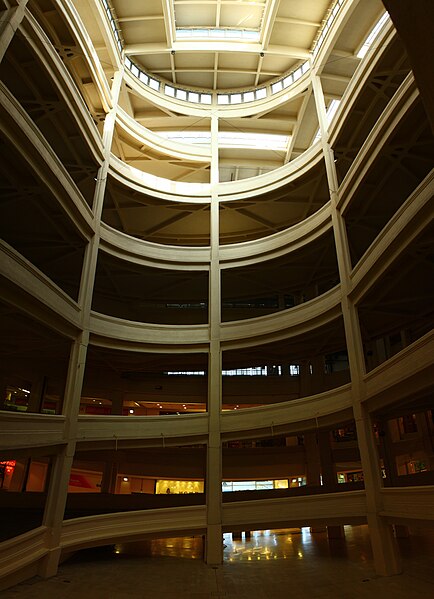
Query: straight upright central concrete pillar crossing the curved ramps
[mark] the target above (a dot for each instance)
(214, 544)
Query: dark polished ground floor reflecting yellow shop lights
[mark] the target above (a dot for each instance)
(270, 565)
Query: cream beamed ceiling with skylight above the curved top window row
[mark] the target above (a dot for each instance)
(286, 32)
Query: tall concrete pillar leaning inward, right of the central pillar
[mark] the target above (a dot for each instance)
(386, 557)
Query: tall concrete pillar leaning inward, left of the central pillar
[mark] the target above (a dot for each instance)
(60, 473)
